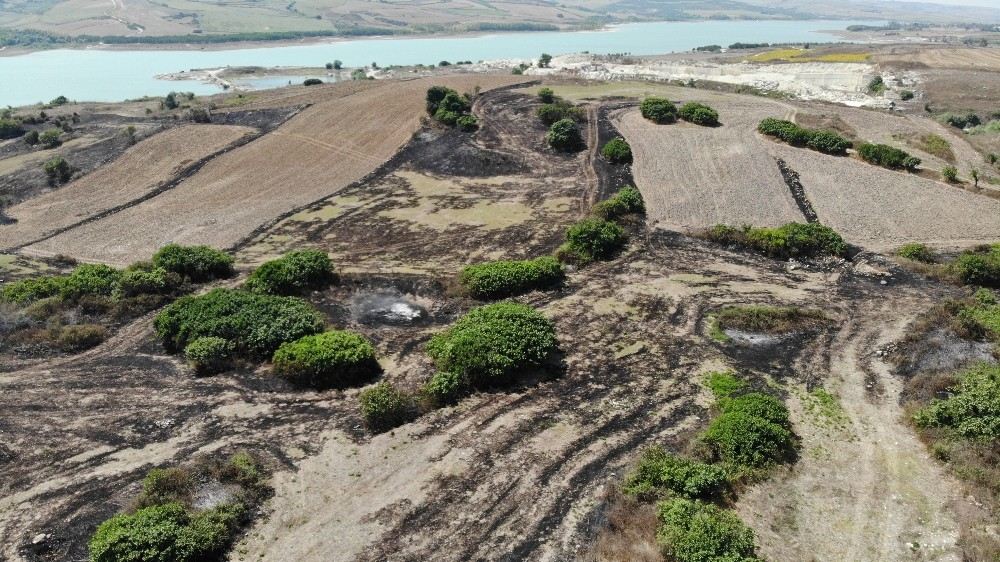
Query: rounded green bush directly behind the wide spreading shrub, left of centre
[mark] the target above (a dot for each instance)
(293, 273)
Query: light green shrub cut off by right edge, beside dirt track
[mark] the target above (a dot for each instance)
(973, 409)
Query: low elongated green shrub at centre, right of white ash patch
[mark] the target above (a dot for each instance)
(500, 279)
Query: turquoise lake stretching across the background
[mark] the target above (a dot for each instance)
(114, 75)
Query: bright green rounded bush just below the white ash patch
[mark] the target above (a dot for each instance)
(332, 359)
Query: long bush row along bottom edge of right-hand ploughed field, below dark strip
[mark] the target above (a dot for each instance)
(792, 240)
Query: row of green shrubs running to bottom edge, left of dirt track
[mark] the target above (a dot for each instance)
(749, 434)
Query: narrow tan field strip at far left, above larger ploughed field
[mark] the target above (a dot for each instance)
(141, 169)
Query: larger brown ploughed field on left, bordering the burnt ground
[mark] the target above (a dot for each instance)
(315, 154)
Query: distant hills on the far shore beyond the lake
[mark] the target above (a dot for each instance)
(53, 21)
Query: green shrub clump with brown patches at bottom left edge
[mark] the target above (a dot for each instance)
(166, 525)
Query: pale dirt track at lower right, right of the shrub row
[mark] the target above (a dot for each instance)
(865, 488)
